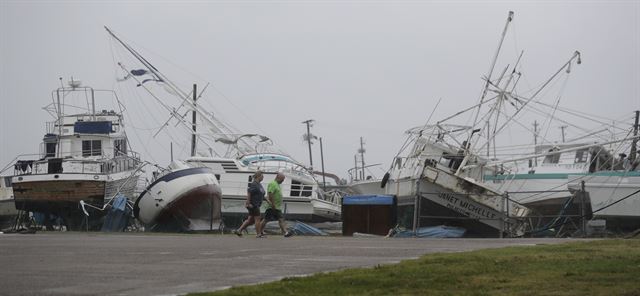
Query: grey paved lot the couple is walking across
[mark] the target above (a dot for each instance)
(153, 264)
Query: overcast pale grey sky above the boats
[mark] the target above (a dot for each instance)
(367, 69)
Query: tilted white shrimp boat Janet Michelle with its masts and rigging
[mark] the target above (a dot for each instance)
(441, 179)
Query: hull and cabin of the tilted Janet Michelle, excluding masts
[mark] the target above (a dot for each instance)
(431, 191)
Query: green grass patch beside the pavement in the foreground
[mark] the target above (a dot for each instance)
(607, 267)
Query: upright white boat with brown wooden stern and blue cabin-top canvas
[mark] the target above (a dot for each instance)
(84, 157)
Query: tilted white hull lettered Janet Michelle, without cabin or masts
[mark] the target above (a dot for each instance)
(446, 199)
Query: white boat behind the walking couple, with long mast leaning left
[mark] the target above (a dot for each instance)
(232, 156)
